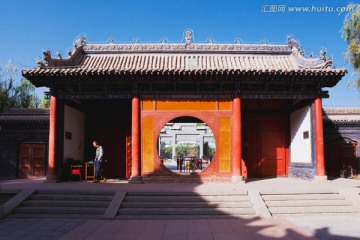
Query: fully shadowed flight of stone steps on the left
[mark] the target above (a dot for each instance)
(79, 204)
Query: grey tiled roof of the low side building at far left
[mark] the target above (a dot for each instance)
(25, 115)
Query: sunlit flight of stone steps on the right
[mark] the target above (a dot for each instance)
(300, 203)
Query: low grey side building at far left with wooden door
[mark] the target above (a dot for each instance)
(24, 137)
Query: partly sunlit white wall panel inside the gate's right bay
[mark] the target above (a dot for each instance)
(300, 148)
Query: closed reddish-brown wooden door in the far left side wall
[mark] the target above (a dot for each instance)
(32, 159)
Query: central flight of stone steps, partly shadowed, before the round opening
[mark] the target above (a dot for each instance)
(185, 205)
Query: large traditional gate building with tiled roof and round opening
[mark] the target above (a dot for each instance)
(261, 101)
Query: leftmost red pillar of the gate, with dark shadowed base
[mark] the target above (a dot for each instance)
(51, 175)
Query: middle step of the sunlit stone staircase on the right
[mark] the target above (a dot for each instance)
(303, 203)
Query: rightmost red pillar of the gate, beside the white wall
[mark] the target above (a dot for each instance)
(319, 139)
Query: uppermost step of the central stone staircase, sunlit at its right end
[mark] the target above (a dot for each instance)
(186, 198)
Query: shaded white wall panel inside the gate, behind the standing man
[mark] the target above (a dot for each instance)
(74, 123)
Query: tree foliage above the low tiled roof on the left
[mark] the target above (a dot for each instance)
(16, 93)
